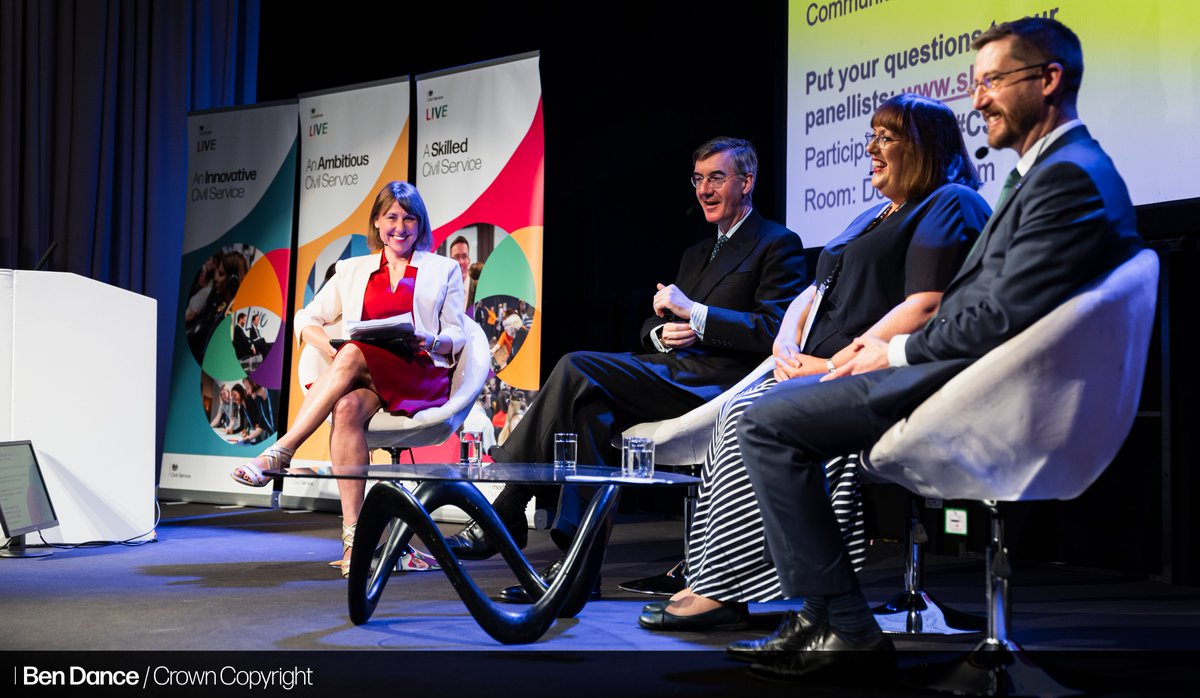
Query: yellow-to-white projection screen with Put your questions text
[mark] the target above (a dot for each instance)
(1138, 93)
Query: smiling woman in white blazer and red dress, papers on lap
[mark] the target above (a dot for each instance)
(364, 378)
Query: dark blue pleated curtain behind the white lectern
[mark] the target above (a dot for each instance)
(94, 103)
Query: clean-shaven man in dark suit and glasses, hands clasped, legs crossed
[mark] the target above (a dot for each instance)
(711, 328)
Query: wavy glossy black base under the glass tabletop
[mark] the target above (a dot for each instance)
(566, 598)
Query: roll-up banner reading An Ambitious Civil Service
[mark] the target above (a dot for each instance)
(353, 141)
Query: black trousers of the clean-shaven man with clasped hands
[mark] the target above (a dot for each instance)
(597, 396)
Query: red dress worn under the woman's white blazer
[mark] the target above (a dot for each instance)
(406, 384)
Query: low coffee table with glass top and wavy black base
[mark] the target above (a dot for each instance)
(446, 484)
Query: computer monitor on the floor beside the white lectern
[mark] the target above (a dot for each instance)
(25, 503)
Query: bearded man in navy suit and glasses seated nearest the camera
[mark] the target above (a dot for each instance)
(1065, 222)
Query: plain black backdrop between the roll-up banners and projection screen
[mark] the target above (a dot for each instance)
(629, 91)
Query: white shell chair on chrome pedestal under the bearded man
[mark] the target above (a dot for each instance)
(1039, 418)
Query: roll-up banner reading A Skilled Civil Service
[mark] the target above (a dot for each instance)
(481, 160)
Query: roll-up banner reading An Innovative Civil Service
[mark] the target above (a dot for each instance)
(229, 364)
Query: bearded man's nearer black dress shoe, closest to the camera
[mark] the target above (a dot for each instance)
(826, 655)
